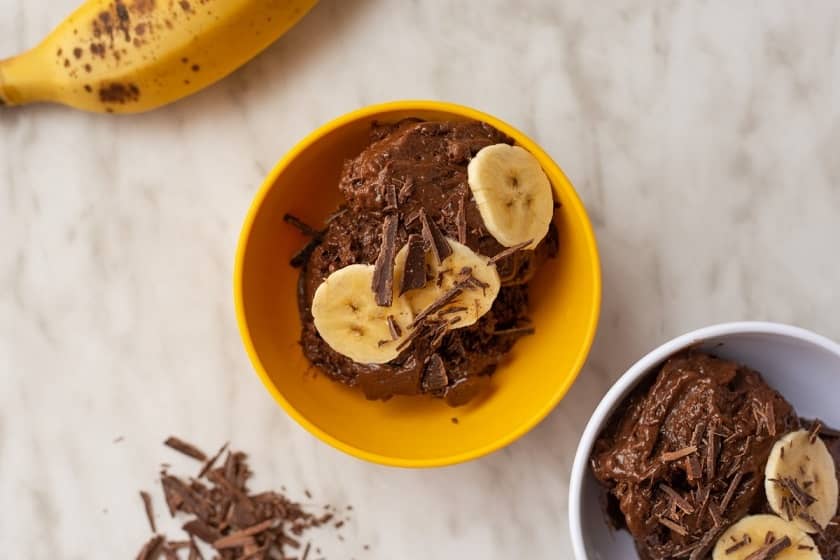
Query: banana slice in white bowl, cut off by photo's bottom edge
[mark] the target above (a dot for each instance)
(750, 534)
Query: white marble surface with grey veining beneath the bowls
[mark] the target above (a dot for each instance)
(702, 136)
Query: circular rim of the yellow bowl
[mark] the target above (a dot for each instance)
(573, 201)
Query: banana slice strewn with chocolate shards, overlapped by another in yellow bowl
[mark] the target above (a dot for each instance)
(476, 296)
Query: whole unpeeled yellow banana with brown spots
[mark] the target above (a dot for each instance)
(129, 56)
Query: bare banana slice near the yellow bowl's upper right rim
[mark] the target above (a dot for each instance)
(512, 193)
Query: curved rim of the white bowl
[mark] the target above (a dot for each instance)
(628, 380)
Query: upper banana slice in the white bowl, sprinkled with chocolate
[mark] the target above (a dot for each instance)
(800, 481)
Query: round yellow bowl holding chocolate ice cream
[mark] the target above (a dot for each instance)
(407, 431)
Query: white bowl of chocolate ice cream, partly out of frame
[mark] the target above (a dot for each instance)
(804, 367)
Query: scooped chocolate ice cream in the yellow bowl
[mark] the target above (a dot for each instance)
(410, 168)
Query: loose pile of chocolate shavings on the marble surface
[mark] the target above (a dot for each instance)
(231, 520)
